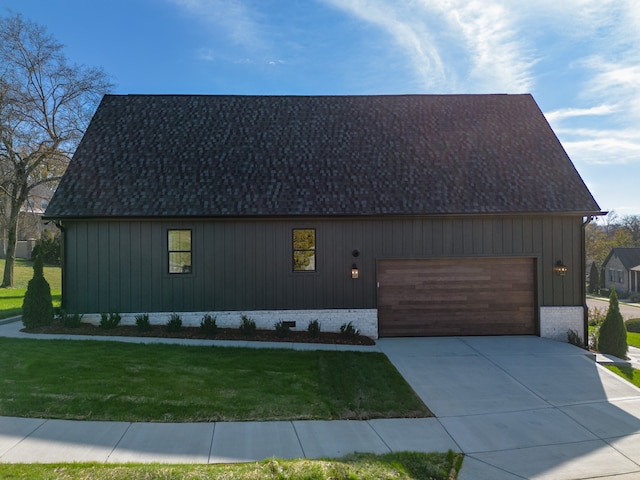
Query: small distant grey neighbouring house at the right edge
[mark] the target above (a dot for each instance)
(622, 270)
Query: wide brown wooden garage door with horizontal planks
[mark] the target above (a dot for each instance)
(435, 297)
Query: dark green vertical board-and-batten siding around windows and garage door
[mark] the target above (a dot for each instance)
(246, 264)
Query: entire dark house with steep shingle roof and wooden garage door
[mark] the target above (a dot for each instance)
(405, 214)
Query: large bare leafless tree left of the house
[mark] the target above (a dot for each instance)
(45, 106)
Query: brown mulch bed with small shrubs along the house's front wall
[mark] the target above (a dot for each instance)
(160, 331)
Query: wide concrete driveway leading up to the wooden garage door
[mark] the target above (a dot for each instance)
(525, 407)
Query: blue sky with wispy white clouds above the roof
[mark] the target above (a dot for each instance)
(579, 58)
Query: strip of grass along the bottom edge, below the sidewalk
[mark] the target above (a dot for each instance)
(401, 466)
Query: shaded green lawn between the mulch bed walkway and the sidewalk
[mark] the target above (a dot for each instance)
(93, 380)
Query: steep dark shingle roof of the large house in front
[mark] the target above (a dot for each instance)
(184, 155)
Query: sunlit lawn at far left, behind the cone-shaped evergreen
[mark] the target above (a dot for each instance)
(11, 298)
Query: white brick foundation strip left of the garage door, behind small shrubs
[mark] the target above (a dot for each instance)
(365, 320)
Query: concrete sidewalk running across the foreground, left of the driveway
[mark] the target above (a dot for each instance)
(25, 440)
